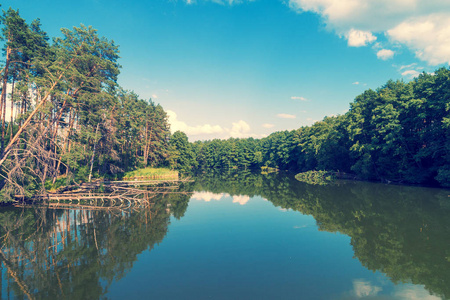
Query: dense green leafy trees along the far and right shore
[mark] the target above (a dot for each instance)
(398, 132)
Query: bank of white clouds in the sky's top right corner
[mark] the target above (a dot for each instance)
(421, 25)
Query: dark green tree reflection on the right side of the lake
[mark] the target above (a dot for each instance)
(403, 232)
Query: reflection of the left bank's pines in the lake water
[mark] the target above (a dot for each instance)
(76, 254)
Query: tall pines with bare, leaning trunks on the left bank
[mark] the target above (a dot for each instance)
(62, 112)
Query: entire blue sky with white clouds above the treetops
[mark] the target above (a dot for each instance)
(247, 68)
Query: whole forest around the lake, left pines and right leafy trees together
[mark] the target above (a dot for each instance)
(64, 116)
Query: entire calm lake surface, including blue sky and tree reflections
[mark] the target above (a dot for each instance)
(237, 237)
